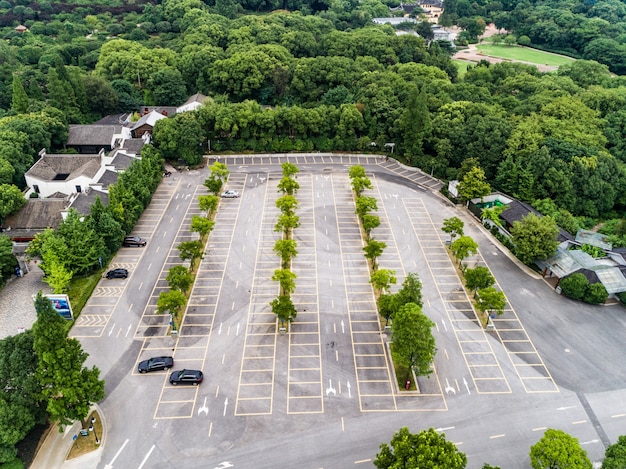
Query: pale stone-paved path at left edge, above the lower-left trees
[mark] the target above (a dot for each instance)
(17, 311)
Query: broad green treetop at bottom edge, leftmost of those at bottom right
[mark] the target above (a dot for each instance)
(427, 449)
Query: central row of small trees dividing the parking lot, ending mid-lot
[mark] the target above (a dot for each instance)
(286, 247)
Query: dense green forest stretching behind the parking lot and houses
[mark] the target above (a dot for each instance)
(320, 78)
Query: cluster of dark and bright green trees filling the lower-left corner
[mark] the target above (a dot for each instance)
(43, 378)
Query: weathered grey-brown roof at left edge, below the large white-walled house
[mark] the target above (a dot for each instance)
(37, 215)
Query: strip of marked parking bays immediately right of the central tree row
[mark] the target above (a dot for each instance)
(304, 382)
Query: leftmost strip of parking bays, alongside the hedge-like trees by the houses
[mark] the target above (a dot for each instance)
(94, 318)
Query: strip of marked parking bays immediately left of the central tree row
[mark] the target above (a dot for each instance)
(256, 377)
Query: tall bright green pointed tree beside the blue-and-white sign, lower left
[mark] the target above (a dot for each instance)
(68, 386)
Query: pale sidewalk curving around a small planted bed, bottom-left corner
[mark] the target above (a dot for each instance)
(56, 447)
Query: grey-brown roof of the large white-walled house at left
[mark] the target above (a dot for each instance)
(48, 167)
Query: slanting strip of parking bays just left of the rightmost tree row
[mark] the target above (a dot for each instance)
(485, 371)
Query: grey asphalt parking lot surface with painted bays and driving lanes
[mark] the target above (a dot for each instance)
(323, 394)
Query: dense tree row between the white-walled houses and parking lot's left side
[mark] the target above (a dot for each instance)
(83, 244)
